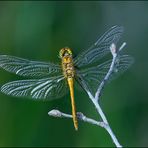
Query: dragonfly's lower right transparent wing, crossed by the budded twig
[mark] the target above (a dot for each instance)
(91, 78)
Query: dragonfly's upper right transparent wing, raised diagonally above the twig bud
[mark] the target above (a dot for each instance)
(100, 48)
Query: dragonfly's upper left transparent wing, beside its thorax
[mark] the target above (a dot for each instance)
(24, 67)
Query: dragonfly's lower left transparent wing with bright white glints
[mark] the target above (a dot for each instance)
(49, 88)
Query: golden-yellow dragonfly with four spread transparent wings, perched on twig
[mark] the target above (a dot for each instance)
(48, 81)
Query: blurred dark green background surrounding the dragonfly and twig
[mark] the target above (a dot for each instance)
(36, 31)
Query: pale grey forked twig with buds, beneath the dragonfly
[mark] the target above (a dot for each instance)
(95, 100)
